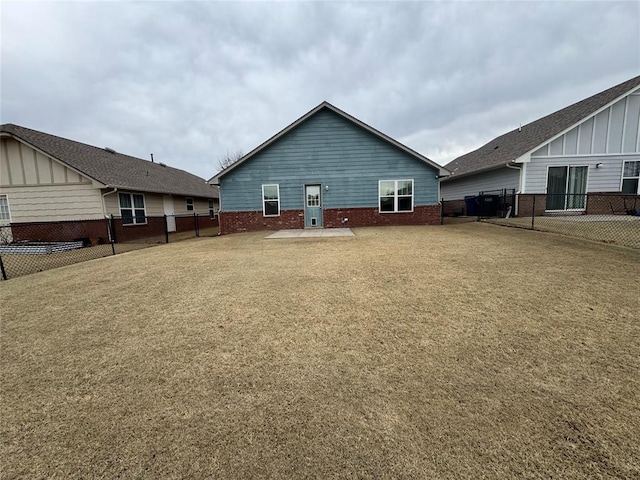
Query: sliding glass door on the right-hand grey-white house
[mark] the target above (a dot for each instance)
(567, 188)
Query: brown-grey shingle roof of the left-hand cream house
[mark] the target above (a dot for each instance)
(110, 168)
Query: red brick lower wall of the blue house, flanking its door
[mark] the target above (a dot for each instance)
(234, 222)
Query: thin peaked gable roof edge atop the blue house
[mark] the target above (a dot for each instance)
(326, 105)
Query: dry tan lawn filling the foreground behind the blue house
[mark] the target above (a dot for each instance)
(461, 351)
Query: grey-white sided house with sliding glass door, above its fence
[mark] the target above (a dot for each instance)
(590, 147)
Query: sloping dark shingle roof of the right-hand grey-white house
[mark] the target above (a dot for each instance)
(510, 146)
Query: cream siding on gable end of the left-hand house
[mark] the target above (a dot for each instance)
(41, 189)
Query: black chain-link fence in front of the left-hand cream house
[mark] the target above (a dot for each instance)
(37, 246)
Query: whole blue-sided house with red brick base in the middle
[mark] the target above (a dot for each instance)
(328, 169)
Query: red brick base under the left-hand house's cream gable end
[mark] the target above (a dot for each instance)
(94, 231)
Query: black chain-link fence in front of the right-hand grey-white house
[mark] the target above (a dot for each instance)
(609, 218)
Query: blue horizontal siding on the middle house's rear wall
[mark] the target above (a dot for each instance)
(331, 151)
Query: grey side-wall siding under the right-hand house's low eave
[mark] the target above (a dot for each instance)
(481, 182)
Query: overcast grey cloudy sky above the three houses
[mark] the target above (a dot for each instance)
(189, 81)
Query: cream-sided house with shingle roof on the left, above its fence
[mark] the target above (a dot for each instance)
(45, 178)
